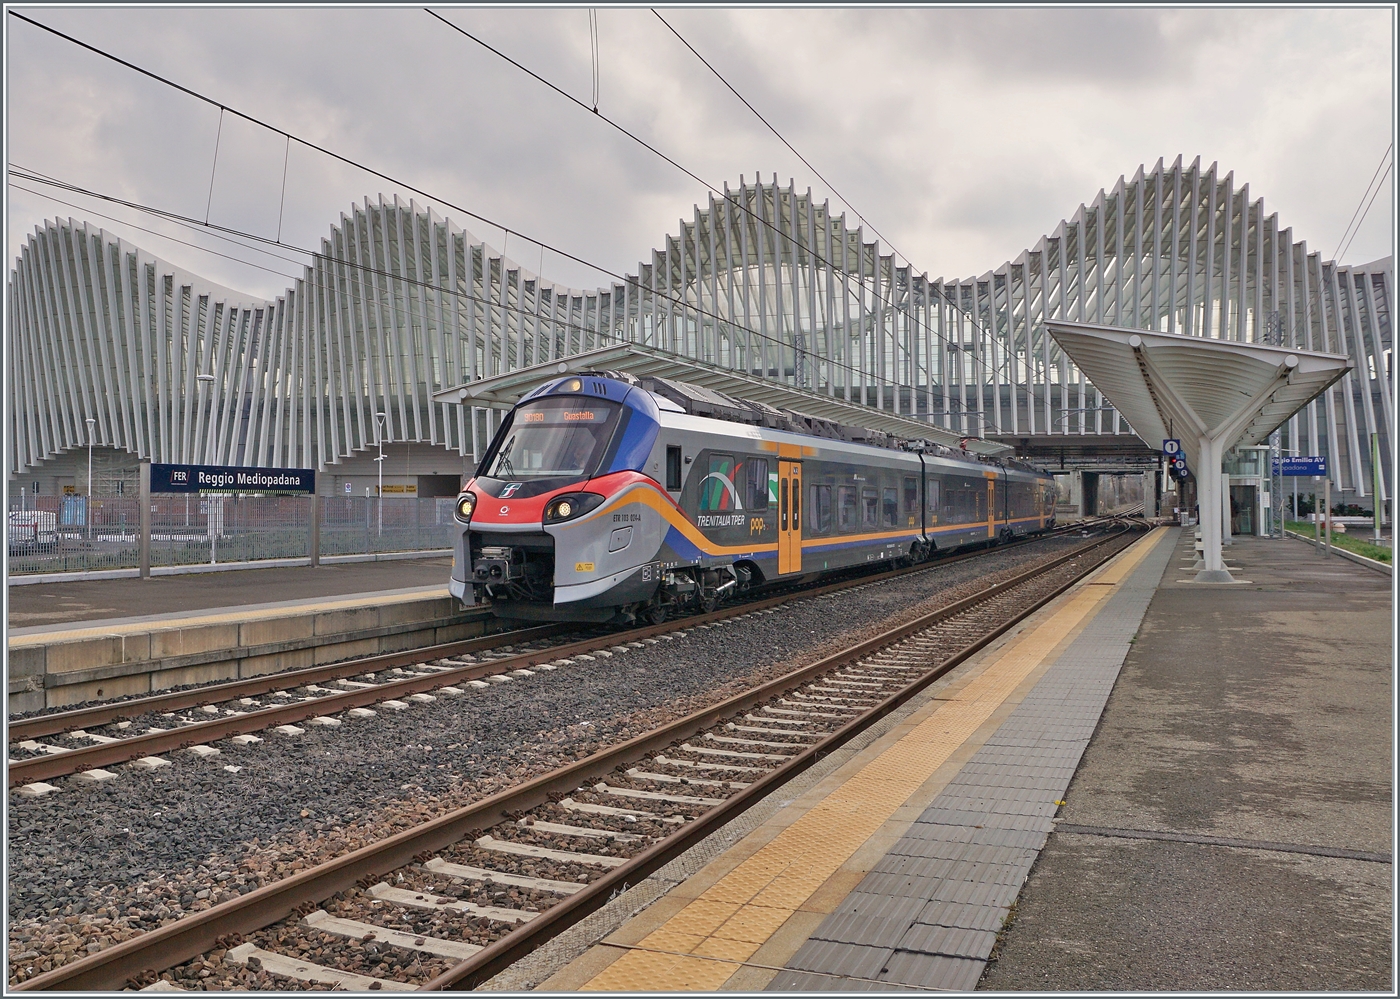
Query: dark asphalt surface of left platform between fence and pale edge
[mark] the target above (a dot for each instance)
(61, 604)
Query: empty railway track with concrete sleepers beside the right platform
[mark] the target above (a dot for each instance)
(453, 902)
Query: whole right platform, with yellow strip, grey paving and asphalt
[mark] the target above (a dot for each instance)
(902, 863)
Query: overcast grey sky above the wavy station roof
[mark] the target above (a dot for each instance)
(961, 135)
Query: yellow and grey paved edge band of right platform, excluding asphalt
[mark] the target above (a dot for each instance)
(897, 868)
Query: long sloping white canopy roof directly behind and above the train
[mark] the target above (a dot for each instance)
(643, 362)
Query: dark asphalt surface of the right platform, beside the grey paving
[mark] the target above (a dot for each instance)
(1255, 714)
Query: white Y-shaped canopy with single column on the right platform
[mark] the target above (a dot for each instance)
(1212, 395)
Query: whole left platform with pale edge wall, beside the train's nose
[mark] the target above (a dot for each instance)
(71, 643)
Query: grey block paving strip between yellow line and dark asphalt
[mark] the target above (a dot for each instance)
(927, 916)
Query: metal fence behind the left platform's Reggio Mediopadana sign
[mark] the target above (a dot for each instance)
(78, 534)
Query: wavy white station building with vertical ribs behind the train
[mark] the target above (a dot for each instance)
(764, 281)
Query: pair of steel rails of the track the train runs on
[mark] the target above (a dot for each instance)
(124, 751)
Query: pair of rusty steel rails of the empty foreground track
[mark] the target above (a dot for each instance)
(178, 942)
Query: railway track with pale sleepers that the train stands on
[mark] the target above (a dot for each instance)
(141, 731)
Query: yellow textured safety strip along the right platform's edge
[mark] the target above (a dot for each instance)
(743, 910)
